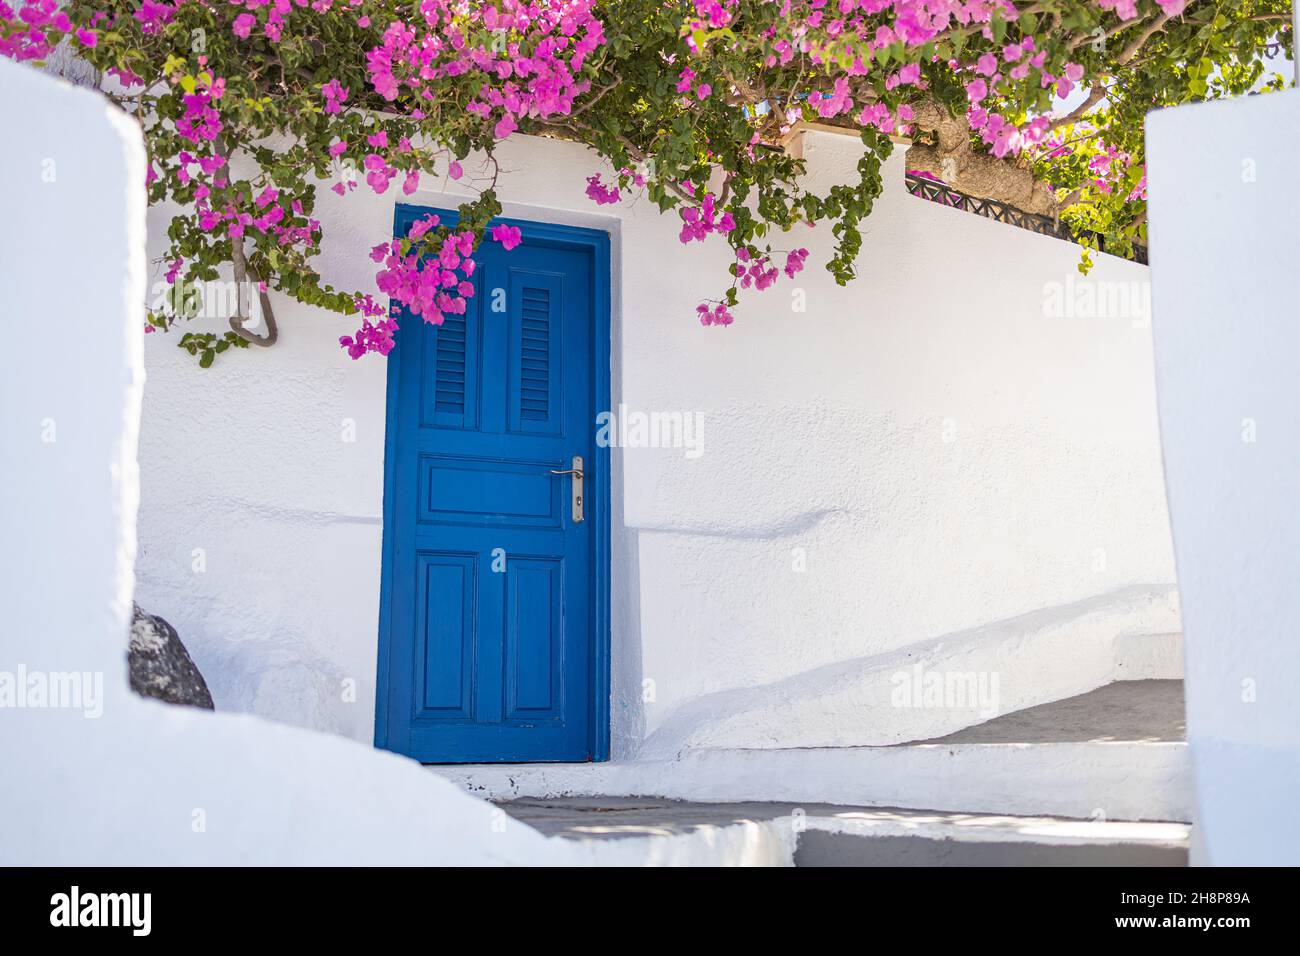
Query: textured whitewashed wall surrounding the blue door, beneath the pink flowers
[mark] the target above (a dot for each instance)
(944, 452)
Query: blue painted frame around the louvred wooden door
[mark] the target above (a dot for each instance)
(597, 244)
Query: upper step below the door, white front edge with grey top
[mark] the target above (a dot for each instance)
(1113, 755)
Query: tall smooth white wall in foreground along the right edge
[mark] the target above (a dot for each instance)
(1224, 219)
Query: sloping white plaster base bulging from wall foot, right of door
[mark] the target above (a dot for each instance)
(1002, 668)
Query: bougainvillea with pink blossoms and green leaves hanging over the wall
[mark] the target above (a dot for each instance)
(250, 109)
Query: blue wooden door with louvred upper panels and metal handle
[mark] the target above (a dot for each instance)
(495, 629)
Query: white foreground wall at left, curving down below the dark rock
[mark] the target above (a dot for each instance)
(107, 777)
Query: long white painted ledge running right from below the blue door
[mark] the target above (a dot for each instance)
(1089, 781)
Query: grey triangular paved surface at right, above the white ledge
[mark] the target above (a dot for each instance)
(1128, 711)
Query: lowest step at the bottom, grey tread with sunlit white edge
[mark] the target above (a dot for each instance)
(630, 832)
